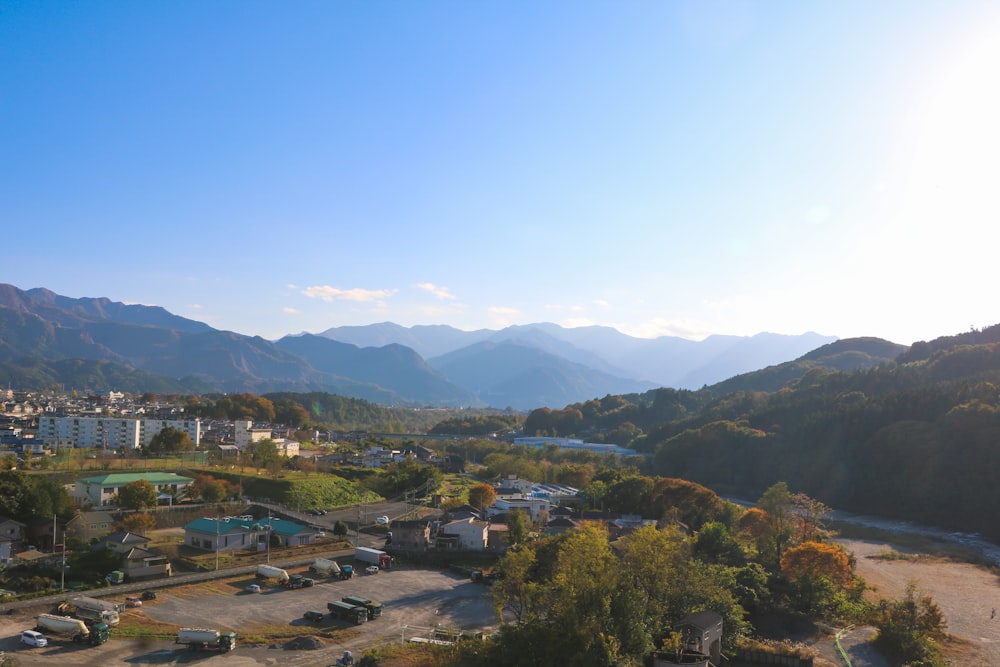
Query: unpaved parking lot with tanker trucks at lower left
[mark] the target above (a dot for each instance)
(414, 600)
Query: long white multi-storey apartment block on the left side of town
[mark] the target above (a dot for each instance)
(112, 433)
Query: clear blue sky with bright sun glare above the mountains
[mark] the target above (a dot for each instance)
(666, 168)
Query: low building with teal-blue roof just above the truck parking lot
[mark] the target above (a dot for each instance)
(244, 533)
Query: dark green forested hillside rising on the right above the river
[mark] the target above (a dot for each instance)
(916, 438)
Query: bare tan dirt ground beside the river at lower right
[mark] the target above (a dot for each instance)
(965, 593)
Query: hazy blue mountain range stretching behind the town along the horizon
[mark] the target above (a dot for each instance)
(96, 344)
